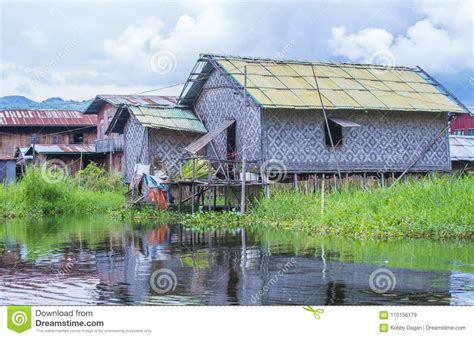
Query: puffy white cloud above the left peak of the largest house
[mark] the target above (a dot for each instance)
(135, 48)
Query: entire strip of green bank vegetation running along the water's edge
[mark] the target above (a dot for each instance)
(432, 207)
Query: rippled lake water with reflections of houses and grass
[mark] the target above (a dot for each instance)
(74, 261)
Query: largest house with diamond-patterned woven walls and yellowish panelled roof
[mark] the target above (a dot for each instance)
(317, 117)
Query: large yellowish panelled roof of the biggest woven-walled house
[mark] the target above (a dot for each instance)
(292, 84)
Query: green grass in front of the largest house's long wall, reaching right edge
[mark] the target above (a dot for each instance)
(434, 207)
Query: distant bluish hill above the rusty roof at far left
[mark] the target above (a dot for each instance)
(21, 102)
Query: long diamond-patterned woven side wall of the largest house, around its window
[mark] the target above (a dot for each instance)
(386, 141)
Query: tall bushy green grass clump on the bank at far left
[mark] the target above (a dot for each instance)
(34, 195)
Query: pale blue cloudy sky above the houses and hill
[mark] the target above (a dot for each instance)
(77, 49)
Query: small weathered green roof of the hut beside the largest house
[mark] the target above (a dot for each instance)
(166, 117)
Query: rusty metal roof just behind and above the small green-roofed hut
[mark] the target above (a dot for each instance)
(136, 100)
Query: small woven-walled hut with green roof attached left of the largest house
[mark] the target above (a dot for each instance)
(155, 135)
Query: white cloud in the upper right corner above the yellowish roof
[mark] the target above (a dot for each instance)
(442, 42)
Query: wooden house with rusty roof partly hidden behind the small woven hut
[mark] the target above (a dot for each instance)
(105, 107)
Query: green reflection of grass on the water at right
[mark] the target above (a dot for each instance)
(422, 254)
